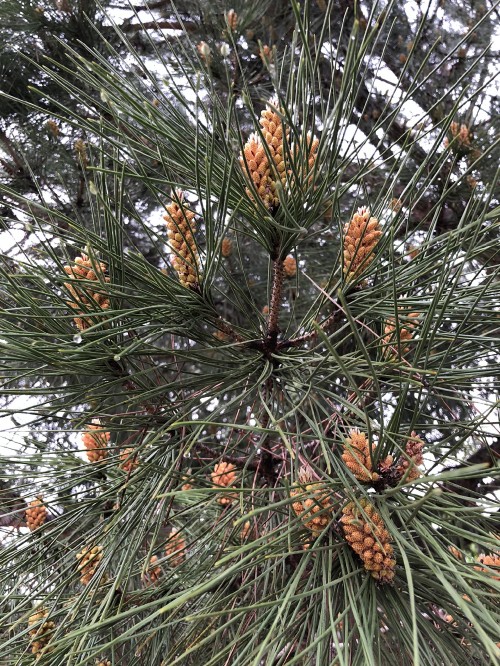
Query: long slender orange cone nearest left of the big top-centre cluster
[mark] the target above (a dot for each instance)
(180, 230)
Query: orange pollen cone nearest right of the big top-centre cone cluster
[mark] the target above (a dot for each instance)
(361, 235)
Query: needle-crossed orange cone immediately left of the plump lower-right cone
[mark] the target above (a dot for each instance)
(313, 504)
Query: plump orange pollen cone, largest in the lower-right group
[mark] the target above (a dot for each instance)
(367, 535)
